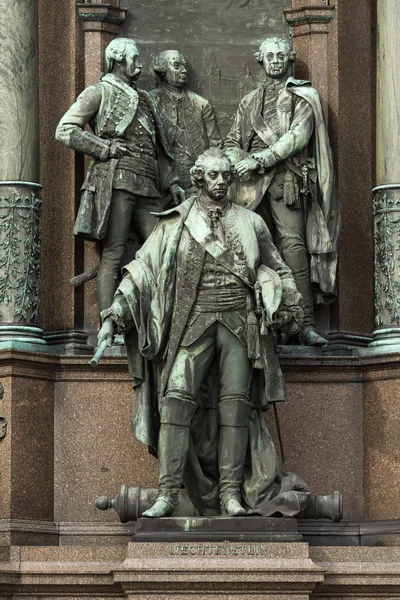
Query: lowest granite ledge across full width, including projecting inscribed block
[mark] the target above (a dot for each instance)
(292, 571)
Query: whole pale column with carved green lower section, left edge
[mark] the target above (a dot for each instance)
(19, 202)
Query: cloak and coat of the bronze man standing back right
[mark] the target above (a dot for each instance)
(322, 209)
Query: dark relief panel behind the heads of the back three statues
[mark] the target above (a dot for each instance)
(218, 39)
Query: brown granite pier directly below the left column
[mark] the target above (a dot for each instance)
(27, 449)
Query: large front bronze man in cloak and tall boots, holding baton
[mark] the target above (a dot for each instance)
(199, 307)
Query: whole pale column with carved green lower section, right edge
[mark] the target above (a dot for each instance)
(387, 194)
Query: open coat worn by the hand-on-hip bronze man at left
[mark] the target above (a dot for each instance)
(109, 107)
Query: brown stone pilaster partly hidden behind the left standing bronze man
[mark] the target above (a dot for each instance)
(100, 25)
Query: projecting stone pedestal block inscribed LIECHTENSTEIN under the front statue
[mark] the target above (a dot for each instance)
(221, 570)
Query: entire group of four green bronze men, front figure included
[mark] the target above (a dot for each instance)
(239, 243)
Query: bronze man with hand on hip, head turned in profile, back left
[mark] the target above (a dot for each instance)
(126, 144)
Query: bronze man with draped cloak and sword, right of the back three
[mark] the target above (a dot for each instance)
(279, 145)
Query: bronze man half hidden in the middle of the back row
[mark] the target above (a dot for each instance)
(189, 120)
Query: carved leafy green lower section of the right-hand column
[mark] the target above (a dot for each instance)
(386, 204)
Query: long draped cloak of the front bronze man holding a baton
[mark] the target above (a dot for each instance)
(159, 288)
